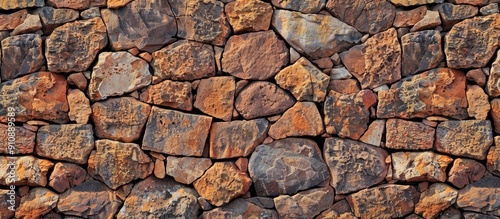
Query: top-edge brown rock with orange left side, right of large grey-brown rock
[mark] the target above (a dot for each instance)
(202, 21)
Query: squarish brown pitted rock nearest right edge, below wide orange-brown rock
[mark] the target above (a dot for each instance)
(467, 138)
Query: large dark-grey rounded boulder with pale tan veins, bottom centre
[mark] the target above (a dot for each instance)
(305, 167)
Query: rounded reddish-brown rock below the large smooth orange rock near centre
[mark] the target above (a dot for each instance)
(261, 99)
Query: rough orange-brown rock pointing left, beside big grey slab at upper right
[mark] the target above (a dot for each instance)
(377, 61)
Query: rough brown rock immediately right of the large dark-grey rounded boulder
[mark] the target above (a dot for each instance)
(354, 165)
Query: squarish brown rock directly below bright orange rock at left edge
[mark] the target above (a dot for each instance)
(68, 142)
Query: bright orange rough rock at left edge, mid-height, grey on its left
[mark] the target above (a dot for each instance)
(40, 95)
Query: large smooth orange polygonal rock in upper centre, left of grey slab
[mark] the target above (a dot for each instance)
(257, 56)
